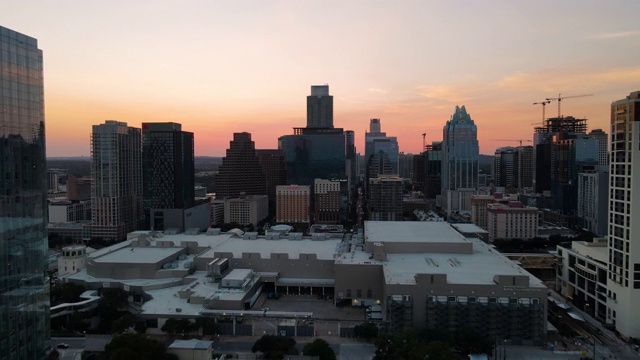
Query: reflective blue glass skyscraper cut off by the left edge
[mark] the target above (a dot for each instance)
(24, 293)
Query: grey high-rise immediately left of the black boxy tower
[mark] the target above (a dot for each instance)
(116, 189)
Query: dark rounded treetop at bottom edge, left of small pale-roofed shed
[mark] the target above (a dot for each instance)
(134, 346)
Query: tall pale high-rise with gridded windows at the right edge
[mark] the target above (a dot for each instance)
(624, 210)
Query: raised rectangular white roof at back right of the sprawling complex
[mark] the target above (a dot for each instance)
(411, 231)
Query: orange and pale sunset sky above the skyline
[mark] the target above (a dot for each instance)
(220, 67)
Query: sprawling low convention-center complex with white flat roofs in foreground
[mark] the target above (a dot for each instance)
(420, 274)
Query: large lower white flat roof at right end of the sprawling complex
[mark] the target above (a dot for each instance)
(477, 268)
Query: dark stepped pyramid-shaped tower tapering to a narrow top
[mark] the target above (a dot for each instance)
(241, 171)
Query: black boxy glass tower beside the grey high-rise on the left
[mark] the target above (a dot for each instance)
(168, 167)
